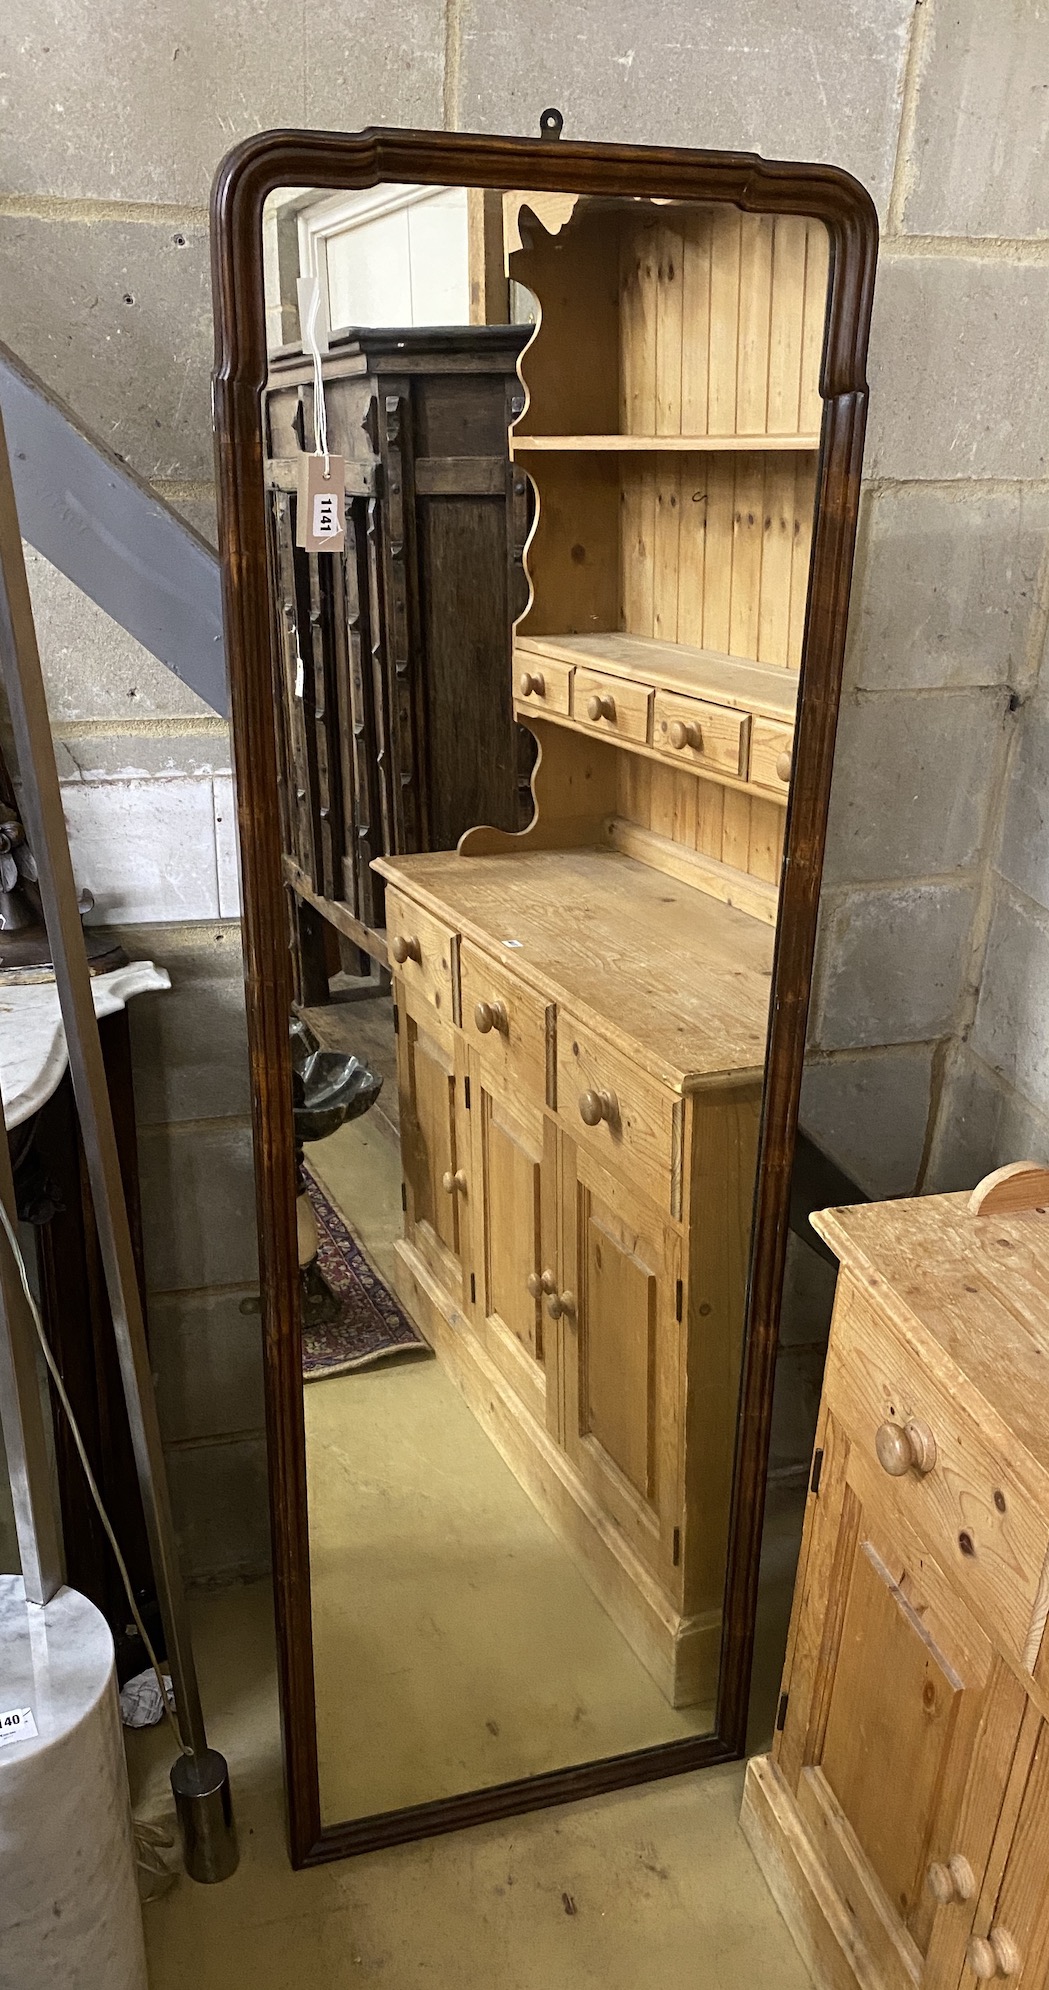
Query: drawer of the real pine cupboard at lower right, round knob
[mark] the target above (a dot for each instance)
(933, 1464)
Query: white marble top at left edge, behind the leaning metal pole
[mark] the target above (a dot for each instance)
(33, 1038)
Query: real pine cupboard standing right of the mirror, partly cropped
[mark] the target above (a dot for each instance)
(903, 1818)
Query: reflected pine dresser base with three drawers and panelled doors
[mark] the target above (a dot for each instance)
(576, 1215)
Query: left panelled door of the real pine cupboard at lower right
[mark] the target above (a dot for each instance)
(899, 1724)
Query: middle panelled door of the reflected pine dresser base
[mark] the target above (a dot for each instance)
(515, 1239)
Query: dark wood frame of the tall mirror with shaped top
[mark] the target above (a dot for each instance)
(347, 162)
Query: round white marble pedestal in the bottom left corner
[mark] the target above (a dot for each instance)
(69, 1897)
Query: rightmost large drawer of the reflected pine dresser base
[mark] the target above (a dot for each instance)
(620, 1113)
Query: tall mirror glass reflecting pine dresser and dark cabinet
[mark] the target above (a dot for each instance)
(536, 747)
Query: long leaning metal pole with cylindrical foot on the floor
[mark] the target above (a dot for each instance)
(41, 805)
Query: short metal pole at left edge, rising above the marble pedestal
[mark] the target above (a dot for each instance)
(23, 1420)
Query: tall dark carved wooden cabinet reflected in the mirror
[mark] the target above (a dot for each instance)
(395, 692)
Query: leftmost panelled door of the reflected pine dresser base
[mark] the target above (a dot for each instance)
(435, 1145)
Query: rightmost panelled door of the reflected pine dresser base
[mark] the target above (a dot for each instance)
(622, 1352)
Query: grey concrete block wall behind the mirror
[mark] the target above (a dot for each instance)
(929, 1028)
